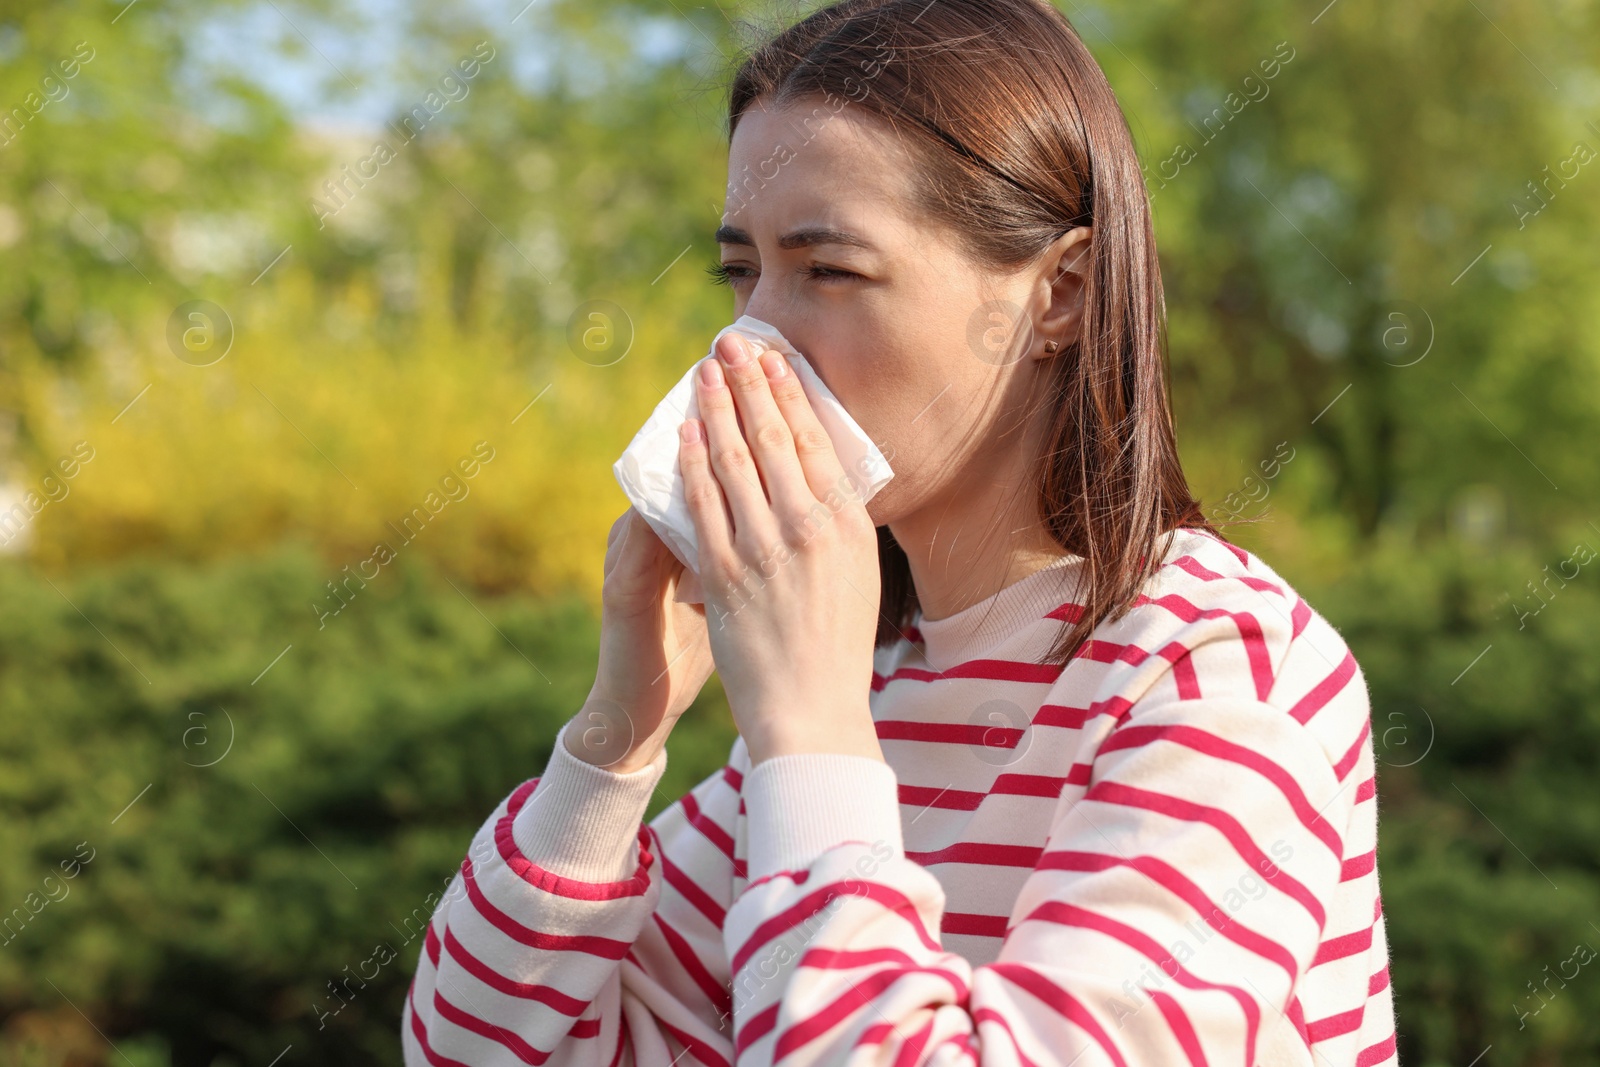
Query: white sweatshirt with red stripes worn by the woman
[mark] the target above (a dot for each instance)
(1164, 853)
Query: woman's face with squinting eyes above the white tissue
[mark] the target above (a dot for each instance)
(825, 244)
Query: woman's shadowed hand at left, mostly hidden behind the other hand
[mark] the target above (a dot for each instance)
(654, 653)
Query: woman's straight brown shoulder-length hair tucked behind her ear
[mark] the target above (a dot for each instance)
(1022, 140)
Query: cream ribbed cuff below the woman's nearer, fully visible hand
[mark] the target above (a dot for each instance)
(802, 805)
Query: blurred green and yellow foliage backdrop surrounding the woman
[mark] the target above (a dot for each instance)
(1377, 230)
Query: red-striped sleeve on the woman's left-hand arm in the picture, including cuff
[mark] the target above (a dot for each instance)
(575, 937)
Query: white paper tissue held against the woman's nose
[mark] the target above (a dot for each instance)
(649, 470)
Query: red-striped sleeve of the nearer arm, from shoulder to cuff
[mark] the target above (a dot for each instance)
(1174, 909)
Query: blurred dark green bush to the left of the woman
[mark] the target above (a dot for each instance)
(217, 914)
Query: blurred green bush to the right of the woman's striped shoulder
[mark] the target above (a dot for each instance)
(1487, 730)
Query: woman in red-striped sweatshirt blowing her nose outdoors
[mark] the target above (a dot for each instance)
(1034, 767)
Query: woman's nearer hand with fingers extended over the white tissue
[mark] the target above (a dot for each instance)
(788, 561)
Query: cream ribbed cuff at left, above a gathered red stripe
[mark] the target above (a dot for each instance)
(582, 820)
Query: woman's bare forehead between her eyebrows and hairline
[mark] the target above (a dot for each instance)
(830, 162)
